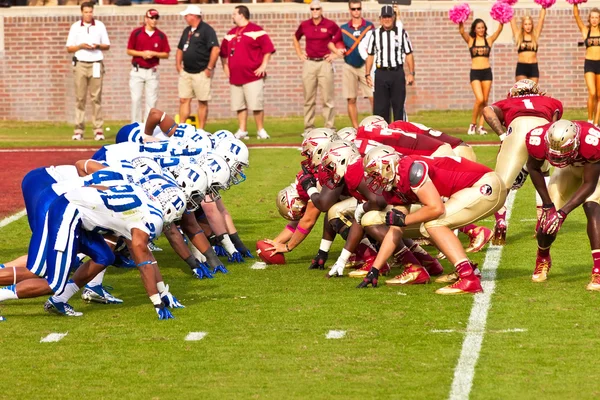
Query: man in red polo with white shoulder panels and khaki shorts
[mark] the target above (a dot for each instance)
(245, 53)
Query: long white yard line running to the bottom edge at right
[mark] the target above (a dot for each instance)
(469, 354)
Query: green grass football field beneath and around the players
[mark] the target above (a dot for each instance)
(266, 329)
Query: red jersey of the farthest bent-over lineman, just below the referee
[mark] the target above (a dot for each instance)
(370, 136)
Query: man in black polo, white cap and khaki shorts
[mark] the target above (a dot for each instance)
(197, 55)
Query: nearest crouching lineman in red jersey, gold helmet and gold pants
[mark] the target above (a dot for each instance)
(473, 191)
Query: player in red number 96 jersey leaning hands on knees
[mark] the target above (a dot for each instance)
(573, 147)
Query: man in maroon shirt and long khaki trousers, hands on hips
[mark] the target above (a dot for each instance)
(322, 35)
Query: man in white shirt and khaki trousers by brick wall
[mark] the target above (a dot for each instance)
(88, 39)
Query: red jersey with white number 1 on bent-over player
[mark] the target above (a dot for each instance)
(529, 106)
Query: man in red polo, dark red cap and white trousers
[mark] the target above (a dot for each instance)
(147, 45)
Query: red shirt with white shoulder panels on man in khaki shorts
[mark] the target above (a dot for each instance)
(245, 47)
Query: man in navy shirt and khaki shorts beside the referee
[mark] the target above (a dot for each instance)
(353, 78)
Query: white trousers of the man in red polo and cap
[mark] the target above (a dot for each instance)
(143, 81)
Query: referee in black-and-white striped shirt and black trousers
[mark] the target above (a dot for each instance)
(389, 46)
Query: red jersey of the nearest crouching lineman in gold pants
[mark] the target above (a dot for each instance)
(448, 174)
